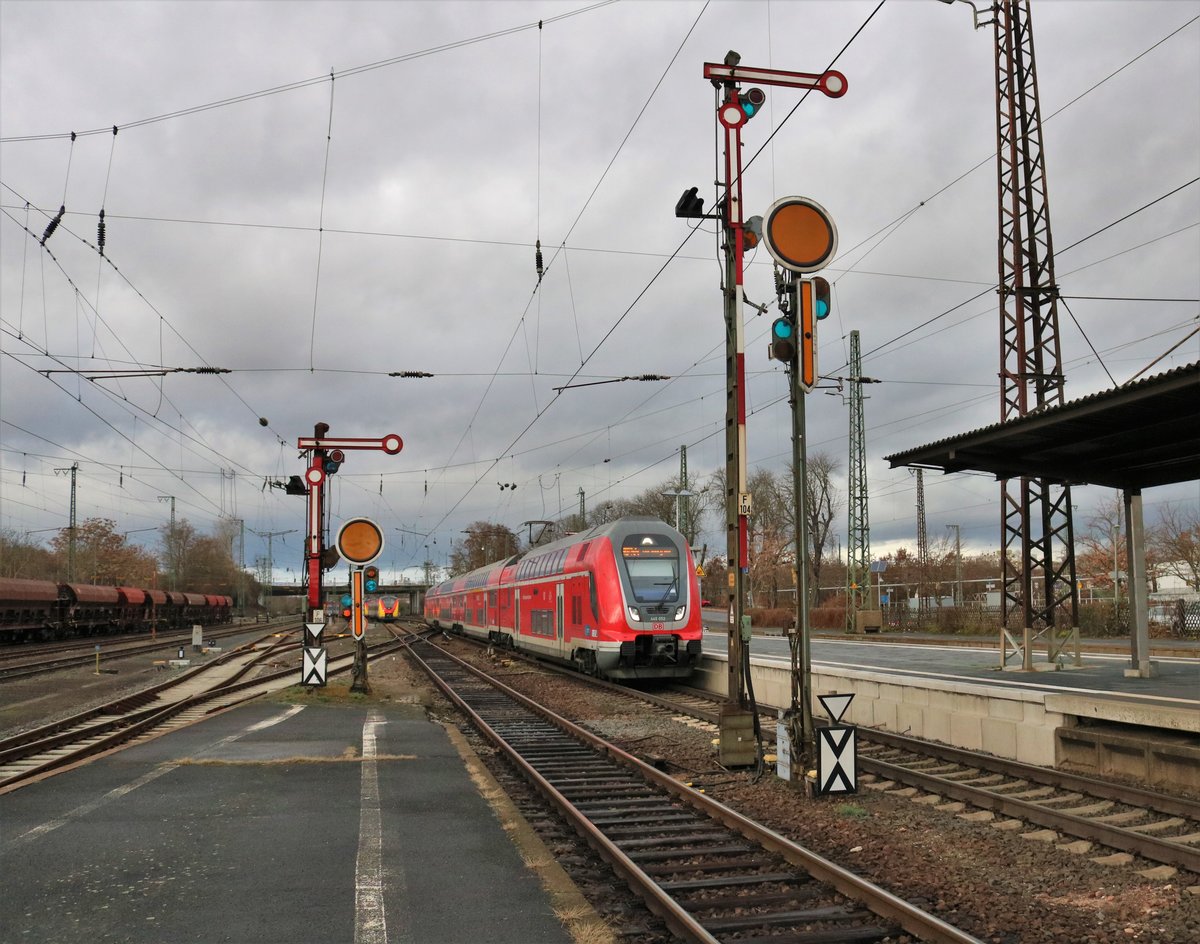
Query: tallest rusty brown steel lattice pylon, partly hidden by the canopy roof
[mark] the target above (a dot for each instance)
(1036, 514)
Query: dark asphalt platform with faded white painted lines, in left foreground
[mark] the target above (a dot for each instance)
(279, 823)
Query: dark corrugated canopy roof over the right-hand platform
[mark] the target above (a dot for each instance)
(1139, 436)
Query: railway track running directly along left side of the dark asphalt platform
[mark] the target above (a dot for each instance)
(199, 694)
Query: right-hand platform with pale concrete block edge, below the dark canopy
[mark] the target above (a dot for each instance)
(1091, 719)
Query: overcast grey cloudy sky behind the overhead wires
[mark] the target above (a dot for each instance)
(314, 236)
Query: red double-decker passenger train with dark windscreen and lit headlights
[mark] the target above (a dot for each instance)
(620, 600)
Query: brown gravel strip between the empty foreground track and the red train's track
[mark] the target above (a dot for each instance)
(995, 885)
